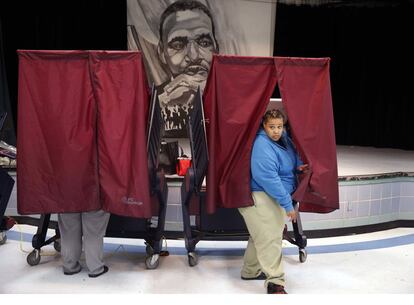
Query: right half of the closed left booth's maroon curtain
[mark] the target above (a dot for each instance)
(123, 100)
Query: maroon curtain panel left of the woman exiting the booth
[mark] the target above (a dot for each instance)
(235, 98)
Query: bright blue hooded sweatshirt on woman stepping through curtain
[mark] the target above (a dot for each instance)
(274, 168)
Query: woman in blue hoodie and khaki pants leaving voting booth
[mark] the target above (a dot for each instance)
(274, 166)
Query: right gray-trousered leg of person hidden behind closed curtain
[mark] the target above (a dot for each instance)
(94, 227)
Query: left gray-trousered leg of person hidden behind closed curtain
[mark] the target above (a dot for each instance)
(70, 228)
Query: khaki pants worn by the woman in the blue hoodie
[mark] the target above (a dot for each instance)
(265, 221)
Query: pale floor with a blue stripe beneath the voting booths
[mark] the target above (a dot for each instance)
(379, 262)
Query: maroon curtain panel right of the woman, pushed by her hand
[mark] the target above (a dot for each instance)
(305, 89)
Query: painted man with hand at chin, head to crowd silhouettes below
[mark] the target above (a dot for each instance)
(186, 46)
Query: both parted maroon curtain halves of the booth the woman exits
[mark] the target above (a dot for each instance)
(235, 98)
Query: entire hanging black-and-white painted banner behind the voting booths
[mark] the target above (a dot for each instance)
(179, 38)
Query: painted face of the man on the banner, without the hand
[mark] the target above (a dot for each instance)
(188, 43)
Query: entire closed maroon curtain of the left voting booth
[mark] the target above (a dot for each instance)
(82, 126)
